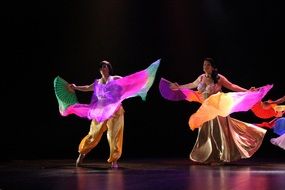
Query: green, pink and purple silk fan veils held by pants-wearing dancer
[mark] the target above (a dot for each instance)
(107, 97)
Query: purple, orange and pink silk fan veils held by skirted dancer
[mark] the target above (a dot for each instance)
(219, 104)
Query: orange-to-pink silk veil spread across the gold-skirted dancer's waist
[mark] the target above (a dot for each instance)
(223, 104)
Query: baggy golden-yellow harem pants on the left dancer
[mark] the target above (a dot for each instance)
(114, 127)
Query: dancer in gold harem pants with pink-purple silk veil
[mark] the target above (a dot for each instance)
(105, 109)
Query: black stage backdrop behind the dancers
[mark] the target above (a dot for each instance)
(43, 39)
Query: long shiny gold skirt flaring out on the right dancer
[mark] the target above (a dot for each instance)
(225, 139)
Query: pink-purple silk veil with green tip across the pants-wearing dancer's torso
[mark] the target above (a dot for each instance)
(107, 98)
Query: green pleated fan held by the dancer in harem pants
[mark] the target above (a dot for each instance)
(65, 96)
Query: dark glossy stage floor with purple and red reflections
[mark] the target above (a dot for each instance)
(142, 174)
